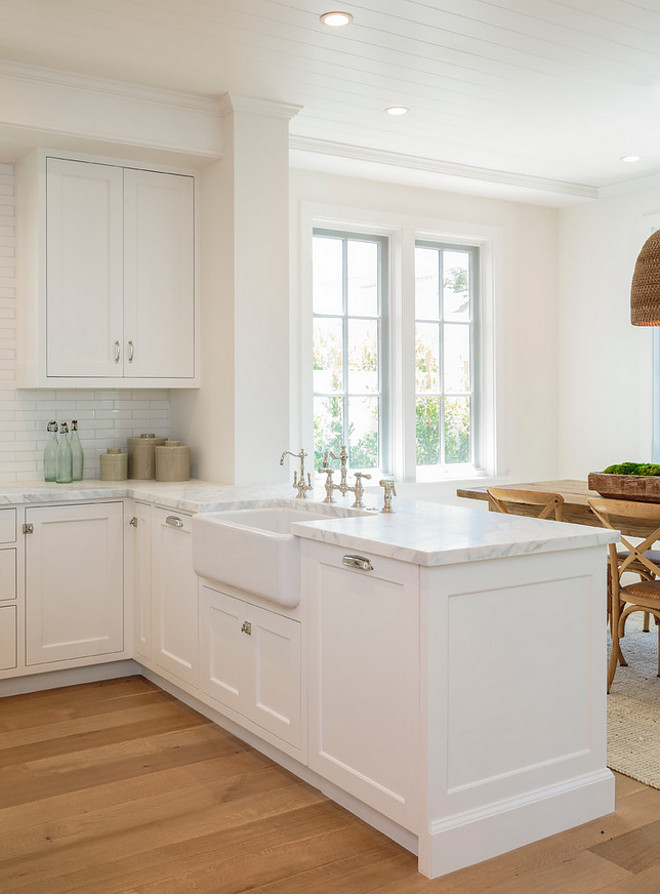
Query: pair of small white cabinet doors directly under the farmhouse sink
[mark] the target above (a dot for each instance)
(252, 662)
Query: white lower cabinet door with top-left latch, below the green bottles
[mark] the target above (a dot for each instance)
(74, 582)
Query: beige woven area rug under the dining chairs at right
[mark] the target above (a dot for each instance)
(633, 707)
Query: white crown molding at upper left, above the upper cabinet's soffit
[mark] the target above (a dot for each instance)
(53, 78)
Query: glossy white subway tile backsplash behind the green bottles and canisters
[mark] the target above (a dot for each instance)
(106, 418)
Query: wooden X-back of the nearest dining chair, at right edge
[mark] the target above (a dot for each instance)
(646, 517)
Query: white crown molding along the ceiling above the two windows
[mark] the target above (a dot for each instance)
(430, 165)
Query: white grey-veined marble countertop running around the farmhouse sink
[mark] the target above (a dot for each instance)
(421, 532)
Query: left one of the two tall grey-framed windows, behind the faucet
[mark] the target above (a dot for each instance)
(350, 355)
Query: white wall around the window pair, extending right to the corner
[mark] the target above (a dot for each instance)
(528, 415)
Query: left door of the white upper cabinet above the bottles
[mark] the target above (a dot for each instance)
(84, 269)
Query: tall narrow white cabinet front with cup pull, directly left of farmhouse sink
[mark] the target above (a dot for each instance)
(174, 596)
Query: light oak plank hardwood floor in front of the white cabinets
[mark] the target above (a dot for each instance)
(117, 788)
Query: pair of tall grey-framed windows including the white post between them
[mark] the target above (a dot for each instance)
(399, 367)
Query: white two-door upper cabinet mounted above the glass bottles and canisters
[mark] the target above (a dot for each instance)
(106, 265)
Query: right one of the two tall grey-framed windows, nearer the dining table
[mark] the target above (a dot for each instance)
(445, 354)
